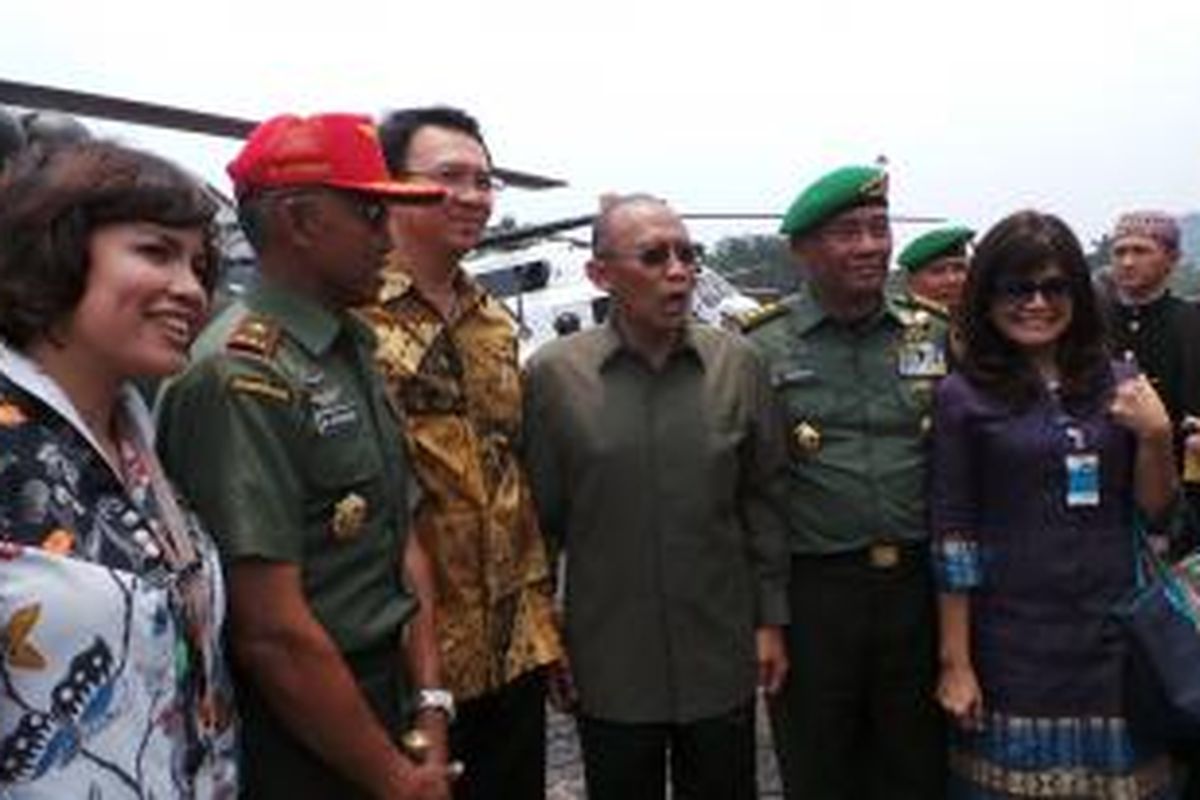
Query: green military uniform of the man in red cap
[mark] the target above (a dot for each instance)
(283, 438)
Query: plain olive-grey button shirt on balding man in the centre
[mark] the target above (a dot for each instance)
(658, 484)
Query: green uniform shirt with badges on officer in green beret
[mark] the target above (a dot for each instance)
(857, 400)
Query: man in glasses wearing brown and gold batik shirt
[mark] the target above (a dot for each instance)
(448, 352)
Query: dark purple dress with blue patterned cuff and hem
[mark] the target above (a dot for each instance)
(1043, 569)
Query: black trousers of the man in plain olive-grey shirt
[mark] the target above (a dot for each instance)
(711, 759)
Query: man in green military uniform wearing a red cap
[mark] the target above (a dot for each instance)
(281, 436)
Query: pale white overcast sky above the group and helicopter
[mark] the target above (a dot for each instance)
(1079, 109)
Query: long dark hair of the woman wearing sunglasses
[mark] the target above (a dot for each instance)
(1018, 246)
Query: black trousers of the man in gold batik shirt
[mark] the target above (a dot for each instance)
(501, 739)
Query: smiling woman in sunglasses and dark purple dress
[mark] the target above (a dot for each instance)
(1043, 452)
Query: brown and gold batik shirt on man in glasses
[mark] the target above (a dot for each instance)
(459, 387)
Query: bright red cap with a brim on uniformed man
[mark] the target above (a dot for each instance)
(339, 151)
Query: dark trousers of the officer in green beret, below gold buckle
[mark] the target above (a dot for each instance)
(857, 718)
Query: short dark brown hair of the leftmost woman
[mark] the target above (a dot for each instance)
(51, 203)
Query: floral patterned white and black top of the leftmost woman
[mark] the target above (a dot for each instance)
(101, 695)
